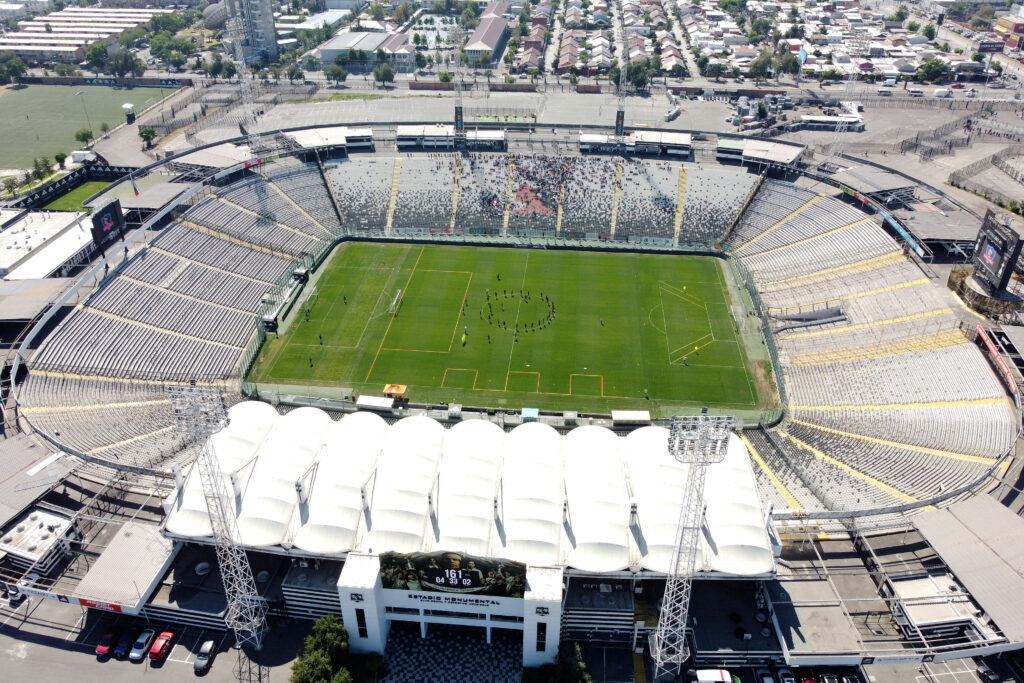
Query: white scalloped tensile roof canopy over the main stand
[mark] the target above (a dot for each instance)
(417, 487)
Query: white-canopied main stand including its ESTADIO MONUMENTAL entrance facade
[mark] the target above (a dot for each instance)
(528, 530)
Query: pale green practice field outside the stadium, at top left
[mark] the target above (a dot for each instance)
(41, 120)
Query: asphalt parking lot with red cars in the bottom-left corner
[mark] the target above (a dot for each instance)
(44, 641)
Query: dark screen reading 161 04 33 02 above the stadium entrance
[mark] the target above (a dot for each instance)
(453, 573)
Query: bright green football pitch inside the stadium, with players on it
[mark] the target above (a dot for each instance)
(598, 331)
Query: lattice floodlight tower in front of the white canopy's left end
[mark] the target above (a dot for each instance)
(200, 412)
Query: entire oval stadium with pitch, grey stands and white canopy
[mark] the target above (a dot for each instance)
(842, 401)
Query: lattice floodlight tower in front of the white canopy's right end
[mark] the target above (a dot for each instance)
(696, 442)
